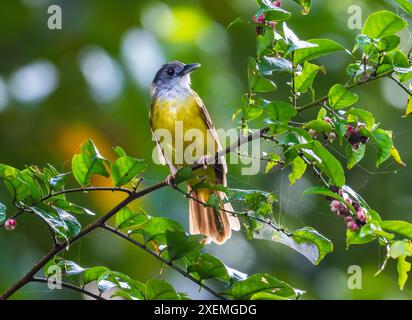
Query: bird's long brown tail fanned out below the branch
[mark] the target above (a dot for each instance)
(215, 224)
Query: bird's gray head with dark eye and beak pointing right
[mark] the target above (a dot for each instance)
(173, 75)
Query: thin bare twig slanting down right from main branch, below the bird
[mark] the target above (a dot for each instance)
(167, 262)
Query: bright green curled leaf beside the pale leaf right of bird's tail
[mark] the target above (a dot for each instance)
(310, 235)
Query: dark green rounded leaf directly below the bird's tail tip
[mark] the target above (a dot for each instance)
(209, 267)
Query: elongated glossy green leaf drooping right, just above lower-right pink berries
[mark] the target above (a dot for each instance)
(324, 160)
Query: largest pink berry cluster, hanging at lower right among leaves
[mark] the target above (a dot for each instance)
(353, 222)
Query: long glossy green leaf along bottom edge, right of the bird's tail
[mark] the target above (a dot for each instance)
(261, 282)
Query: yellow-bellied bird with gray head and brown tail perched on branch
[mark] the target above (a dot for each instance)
(174, 103)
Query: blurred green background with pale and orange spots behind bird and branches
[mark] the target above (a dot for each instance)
(92, 78)
